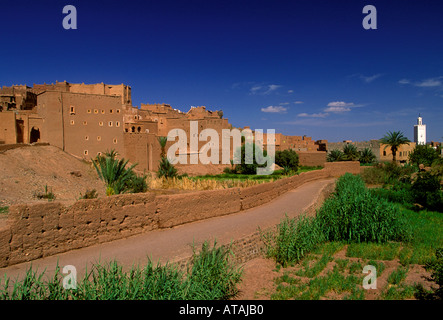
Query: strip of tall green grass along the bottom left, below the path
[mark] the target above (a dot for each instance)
(211, 276)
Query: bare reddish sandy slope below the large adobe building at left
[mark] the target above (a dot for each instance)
(26, 171)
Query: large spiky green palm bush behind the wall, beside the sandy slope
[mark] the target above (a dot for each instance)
(114, 172)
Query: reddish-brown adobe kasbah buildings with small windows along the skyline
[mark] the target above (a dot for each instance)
(86, 120)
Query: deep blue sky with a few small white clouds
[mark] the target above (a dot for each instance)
(301, 67)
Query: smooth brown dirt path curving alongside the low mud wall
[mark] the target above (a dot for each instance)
(174, 243)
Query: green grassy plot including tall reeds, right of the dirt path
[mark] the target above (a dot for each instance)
(373, 229)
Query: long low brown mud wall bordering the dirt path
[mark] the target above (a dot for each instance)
(39, 230)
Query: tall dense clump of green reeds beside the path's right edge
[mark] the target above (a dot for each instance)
(351, 214)
